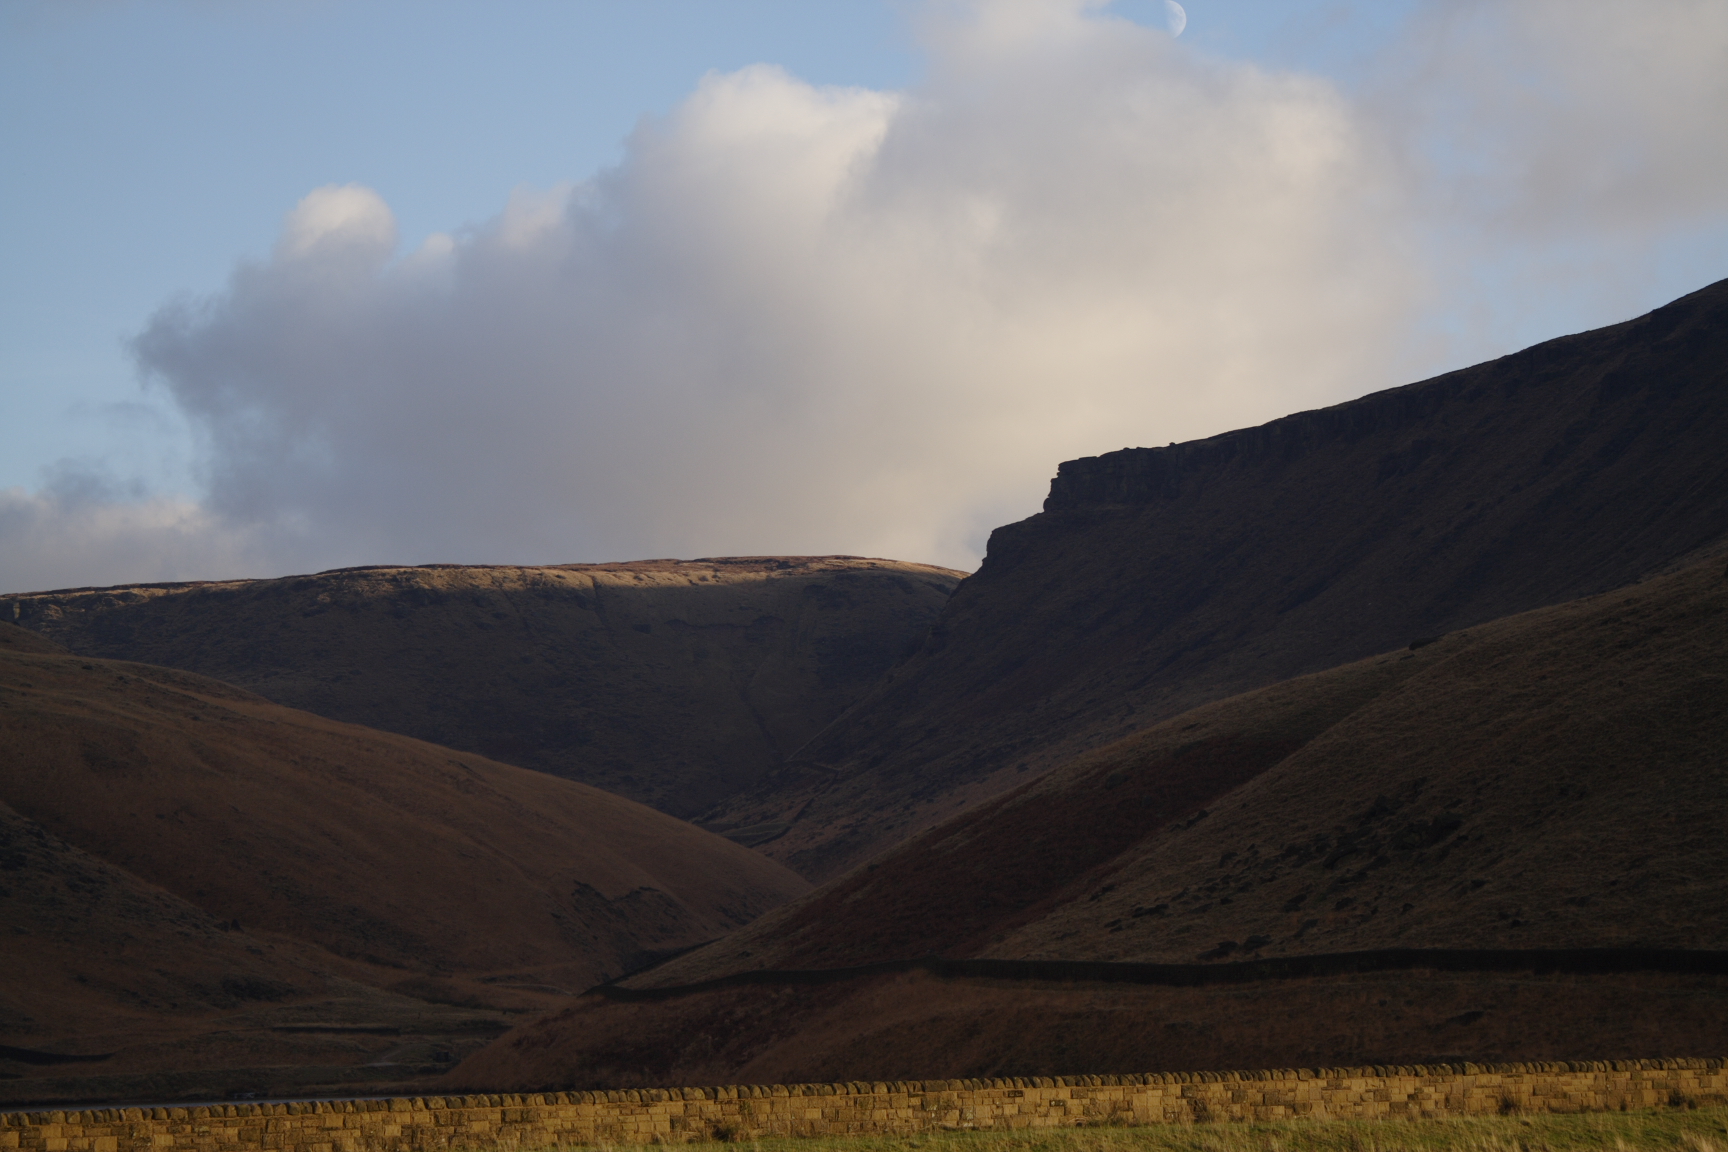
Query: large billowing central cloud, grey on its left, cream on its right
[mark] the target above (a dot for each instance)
(815, 320)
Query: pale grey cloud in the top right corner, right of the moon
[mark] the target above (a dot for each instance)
(1566, 117)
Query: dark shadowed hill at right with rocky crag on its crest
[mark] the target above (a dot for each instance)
(1162, 578)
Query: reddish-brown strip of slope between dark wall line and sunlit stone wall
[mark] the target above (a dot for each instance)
(915, 1027)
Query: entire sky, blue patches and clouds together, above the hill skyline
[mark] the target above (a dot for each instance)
(302, 284)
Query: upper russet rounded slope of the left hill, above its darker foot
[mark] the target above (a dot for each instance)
(376, 847)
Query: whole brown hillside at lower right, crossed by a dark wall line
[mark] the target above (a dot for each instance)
(1551, 782)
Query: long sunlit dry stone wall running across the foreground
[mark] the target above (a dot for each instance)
(903, 1108)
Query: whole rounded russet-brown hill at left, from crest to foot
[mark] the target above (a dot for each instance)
(194, 880)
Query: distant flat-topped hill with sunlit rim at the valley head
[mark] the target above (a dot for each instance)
(673, 683)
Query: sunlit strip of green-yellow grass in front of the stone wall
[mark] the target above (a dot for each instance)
(1703, 1130)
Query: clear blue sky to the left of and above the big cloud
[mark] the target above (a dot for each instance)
(155, 142)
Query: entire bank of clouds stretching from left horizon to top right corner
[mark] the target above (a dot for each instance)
(822, 320)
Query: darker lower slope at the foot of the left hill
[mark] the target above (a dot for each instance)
(113, 989)
